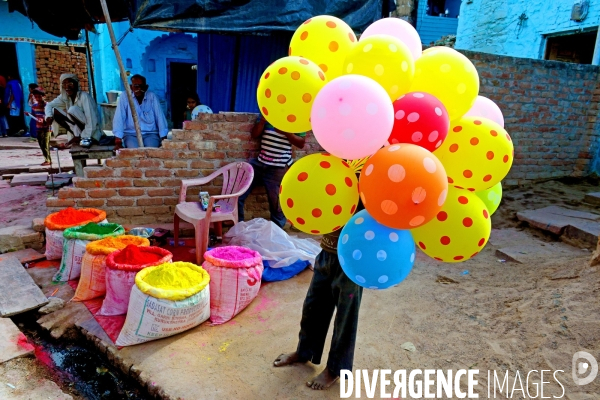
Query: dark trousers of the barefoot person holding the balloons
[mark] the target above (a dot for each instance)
(329, 289)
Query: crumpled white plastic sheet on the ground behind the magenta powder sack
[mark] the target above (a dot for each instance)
(273, 243)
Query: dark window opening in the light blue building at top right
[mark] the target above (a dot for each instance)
(577, 48)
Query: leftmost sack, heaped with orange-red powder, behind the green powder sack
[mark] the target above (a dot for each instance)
(57, 222)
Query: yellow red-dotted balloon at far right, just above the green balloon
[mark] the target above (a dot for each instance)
(477, 153)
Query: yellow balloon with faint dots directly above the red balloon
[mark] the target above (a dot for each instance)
(449, 76)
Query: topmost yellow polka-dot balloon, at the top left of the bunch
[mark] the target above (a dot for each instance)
(326, 40)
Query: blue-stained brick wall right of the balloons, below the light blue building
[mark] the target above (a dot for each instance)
(550, 110)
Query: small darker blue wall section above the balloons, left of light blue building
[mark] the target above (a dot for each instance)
(432, 28)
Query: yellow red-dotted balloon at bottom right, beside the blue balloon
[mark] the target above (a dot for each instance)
(459, 231)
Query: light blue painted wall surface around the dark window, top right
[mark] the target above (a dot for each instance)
(492, 26)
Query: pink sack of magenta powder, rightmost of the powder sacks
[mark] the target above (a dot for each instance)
(235, 275)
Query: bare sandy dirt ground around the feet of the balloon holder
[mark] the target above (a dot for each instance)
(481, 314)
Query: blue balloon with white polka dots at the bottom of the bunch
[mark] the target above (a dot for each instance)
(373, 255)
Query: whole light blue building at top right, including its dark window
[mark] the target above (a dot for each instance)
(561, 30)
